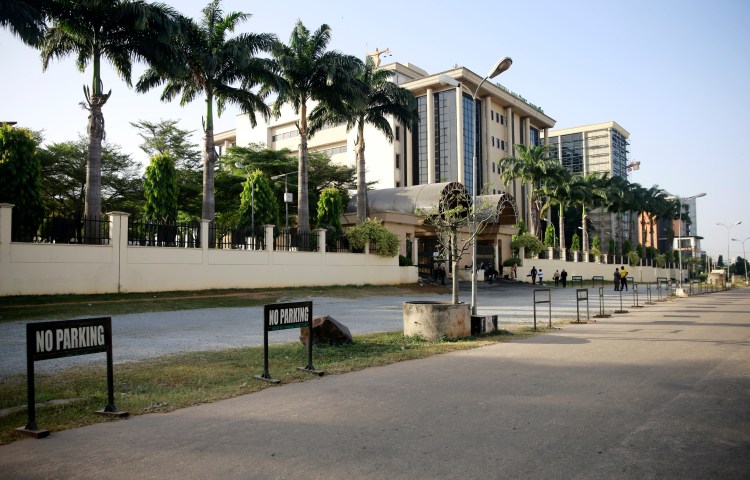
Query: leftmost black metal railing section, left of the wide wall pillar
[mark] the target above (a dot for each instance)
(54, 228)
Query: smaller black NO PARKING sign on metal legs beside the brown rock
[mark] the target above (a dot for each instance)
(283, 316)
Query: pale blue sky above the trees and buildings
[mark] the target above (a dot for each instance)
(675, 75)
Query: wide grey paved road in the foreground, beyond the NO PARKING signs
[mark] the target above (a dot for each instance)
(661, 392)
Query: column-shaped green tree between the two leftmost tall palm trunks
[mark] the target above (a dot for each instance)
(160, 188)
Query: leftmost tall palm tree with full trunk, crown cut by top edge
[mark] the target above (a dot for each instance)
(116, 30)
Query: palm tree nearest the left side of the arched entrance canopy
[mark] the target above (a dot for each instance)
(377, 99)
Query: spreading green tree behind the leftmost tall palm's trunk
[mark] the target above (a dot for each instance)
(63, 179)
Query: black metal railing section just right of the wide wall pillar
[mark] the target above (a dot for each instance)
(164, 234)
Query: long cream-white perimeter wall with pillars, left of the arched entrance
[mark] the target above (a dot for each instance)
(42, 268)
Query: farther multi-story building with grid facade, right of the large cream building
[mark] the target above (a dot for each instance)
(601, 147)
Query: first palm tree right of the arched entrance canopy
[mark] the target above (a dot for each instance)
(531, 166)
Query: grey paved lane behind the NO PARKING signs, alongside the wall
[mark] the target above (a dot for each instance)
(138, 336)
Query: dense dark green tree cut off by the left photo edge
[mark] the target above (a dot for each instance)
(20, 176)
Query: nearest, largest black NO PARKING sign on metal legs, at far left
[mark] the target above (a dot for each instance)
(67, 338)
